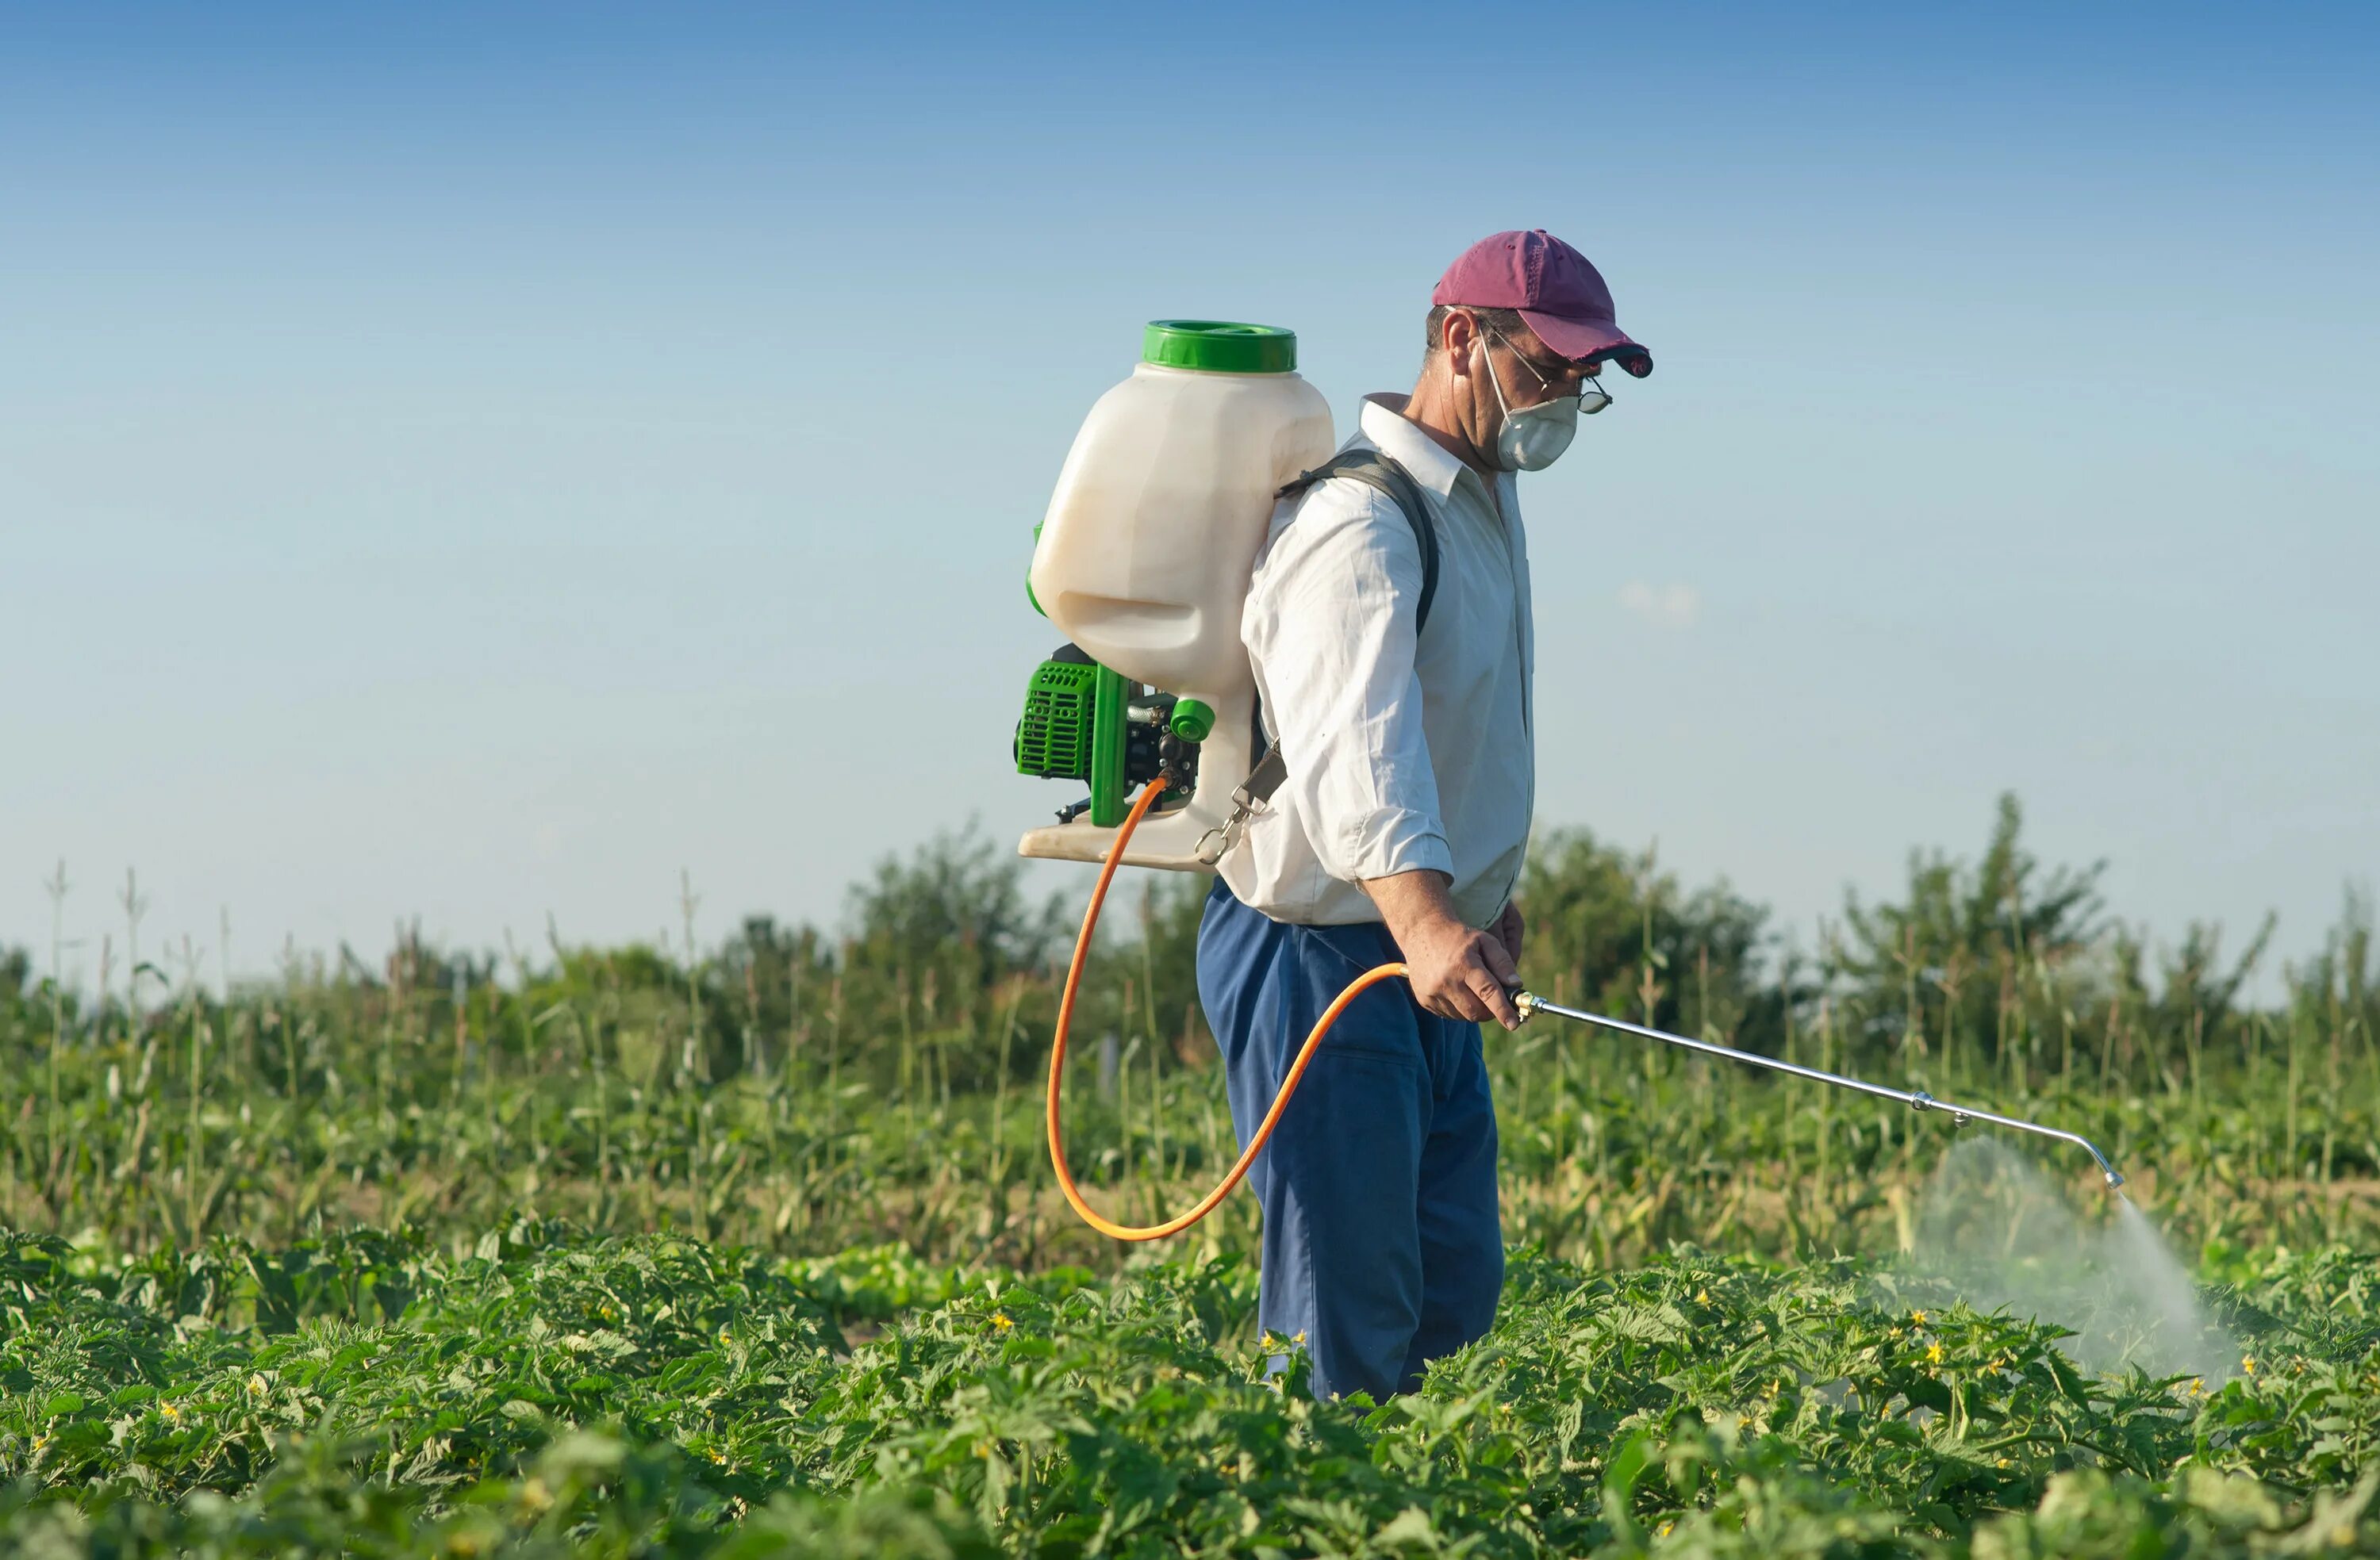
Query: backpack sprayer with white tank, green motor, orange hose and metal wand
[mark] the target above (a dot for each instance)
(1144, 560)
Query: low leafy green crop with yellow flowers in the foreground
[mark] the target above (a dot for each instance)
(551, 1392)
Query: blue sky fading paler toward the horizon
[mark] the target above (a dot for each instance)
(475, 463)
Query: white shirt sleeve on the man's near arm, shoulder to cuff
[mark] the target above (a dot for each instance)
(1332, 634)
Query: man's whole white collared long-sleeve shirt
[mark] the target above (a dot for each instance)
(1401, 755)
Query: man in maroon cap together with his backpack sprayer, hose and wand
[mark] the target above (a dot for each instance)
(1315, 667)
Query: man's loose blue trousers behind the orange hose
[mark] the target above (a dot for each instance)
(1382, 1240)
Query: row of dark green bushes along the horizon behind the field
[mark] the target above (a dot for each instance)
(946, 969)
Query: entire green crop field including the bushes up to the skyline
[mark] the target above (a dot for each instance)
(751, 1250)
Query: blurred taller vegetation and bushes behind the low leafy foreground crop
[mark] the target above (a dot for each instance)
(810, 1100)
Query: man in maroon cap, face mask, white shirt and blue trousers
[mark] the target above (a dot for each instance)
(1401, 826)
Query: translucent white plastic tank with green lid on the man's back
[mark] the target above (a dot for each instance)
(1165, 498)
